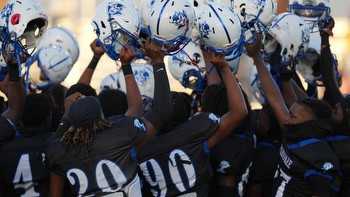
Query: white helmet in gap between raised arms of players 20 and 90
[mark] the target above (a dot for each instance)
(188, 66)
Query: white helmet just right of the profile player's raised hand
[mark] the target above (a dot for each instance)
(280, 31)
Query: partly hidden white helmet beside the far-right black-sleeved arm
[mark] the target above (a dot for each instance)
(312, 55)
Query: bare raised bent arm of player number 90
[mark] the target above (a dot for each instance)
(237, 107)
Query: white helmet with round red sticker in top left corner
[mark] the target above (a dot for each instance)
(22, 24)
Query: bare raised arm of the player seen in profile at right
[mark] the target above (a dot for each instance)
(272, 93)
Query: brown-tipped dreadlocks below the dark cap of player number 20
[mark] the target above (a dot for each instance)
(75, 137)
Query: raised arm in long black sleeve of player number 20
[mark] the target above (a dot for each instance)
(161, 111)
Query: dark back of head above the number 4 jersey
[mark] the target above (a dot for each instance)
(36, 110)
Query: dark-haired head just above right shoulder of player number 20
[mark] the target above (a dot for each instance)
(113, 102)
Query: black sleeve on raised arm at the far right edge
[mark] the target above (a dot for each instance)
(326, 64)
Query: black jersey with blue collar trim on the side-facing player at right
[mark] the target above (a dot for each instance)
(301, 172)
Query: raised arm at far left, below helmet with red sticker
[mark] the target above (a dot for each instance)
(15, 91)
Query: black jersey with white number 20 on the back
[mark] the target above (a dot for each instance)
(111, 165)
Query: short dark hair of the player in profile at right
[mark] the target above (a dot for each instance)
(320, 108)
